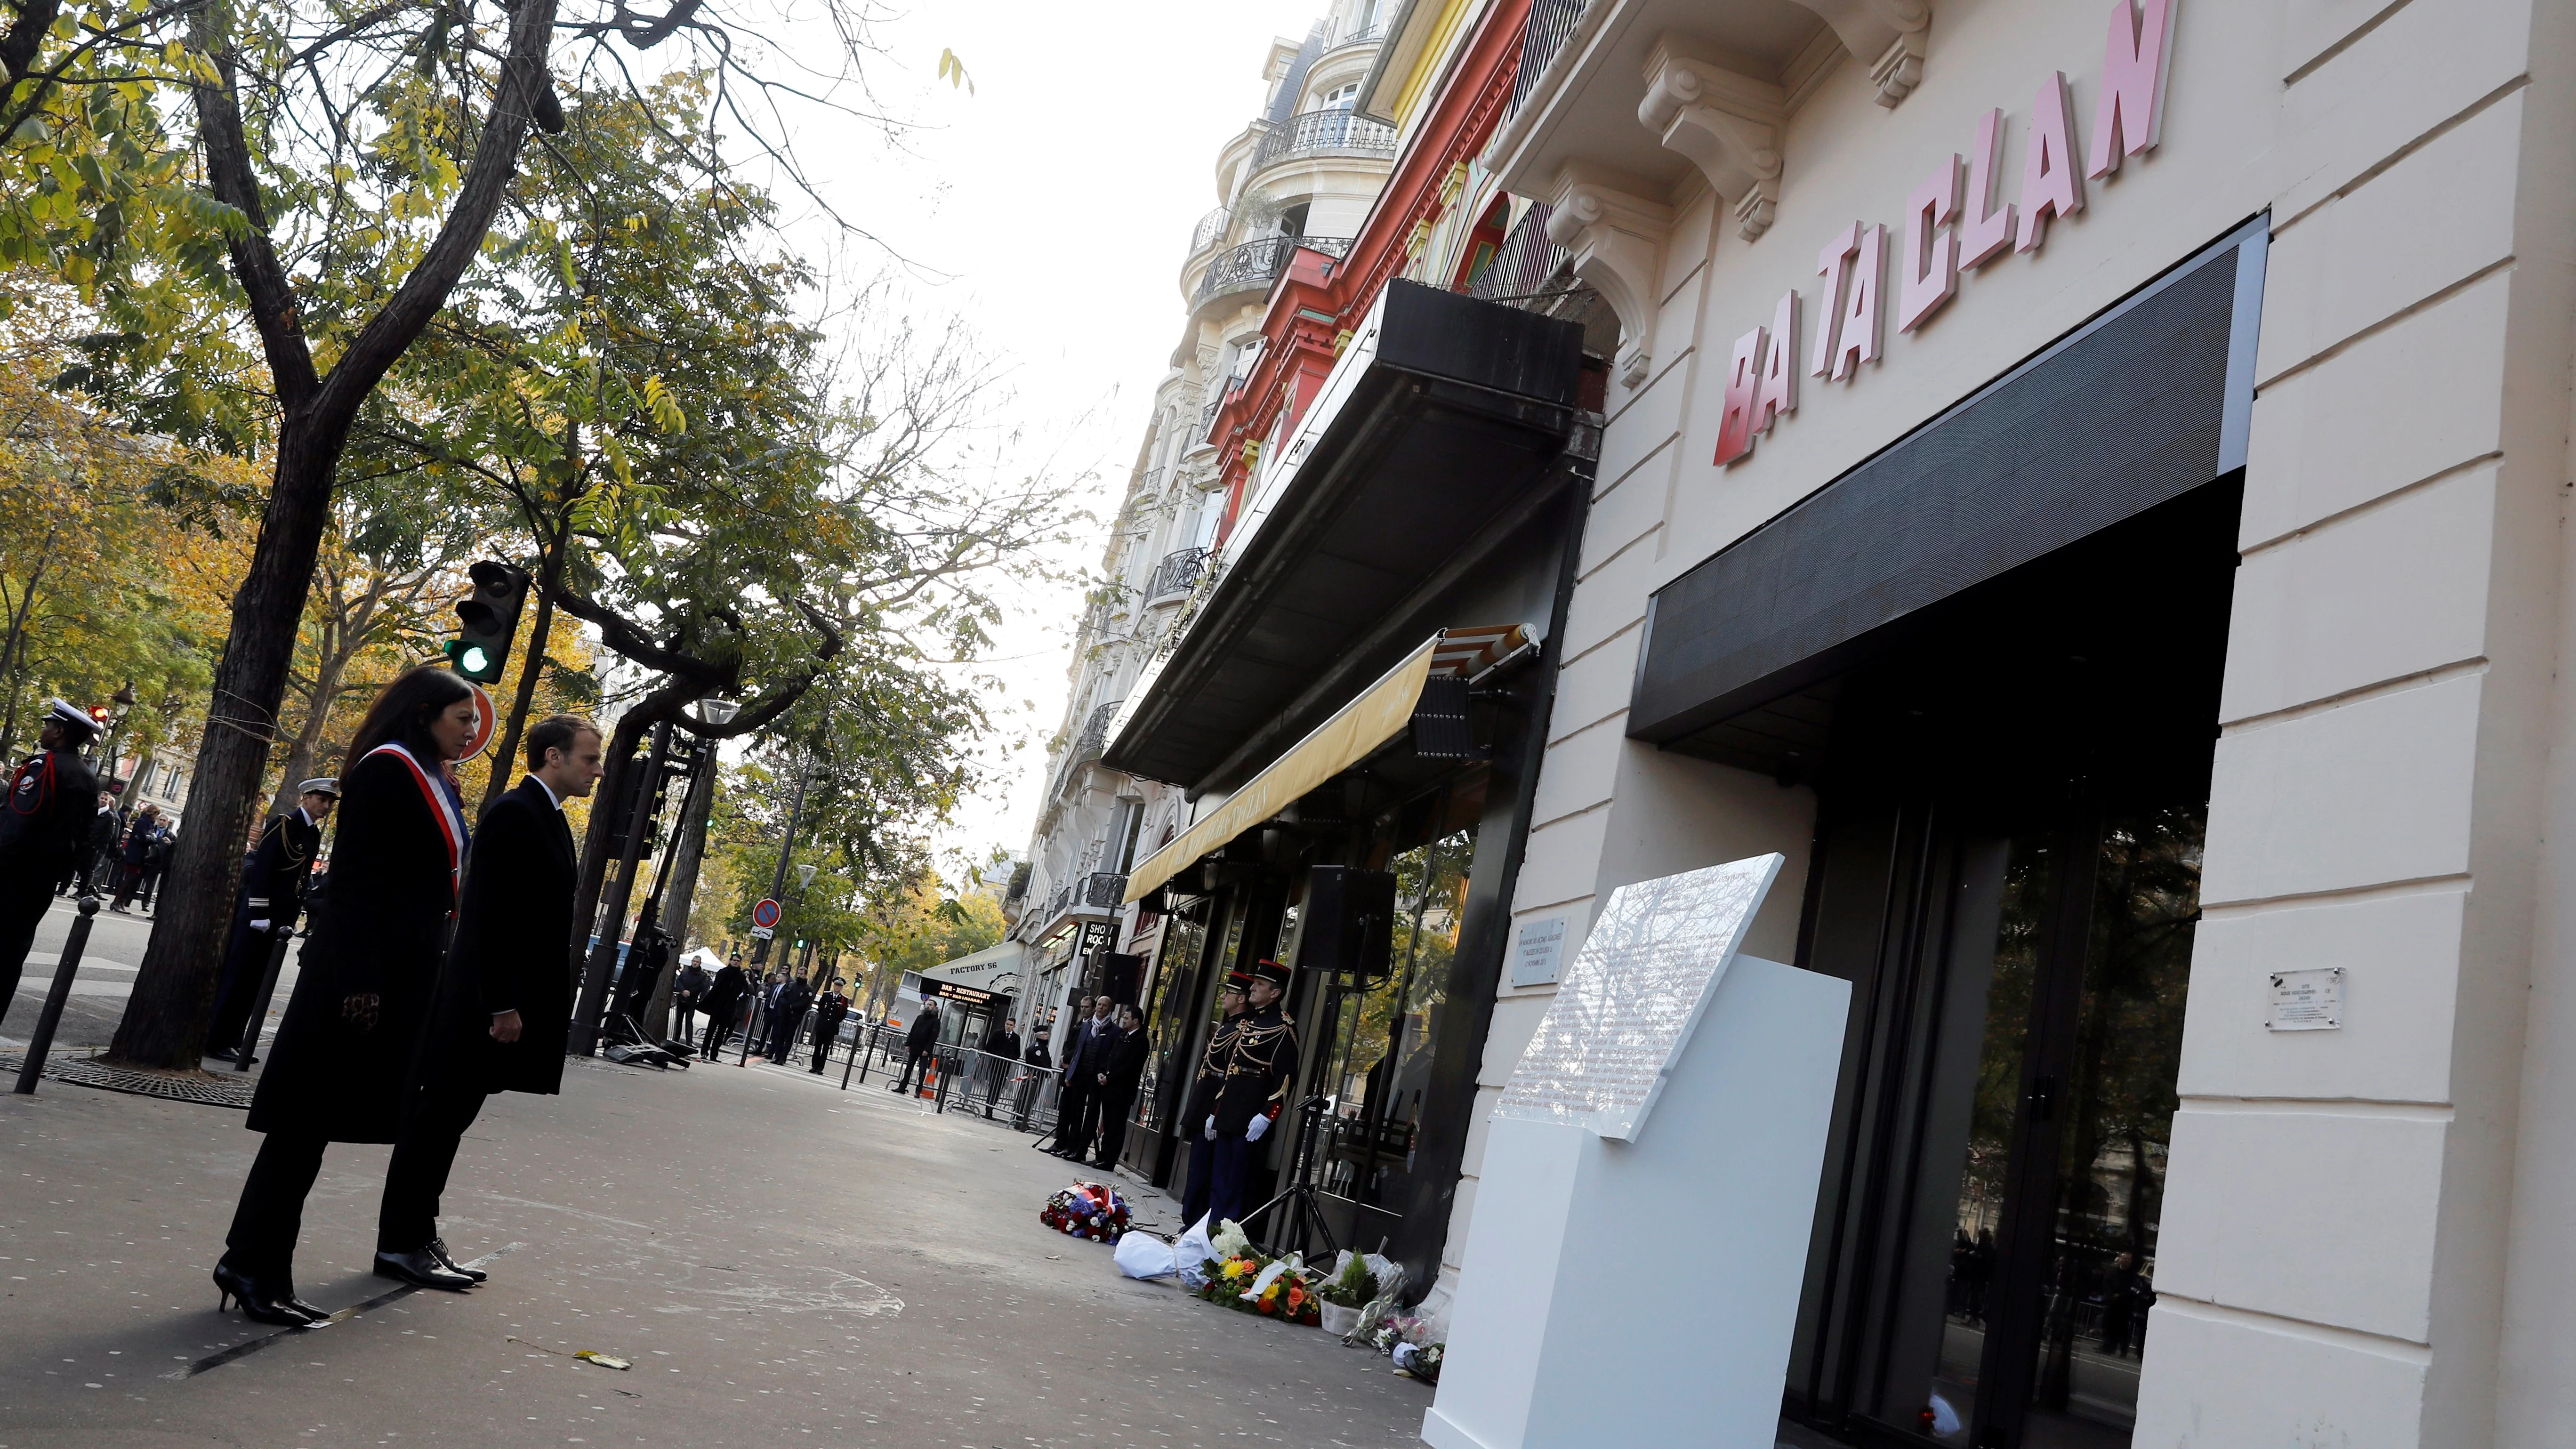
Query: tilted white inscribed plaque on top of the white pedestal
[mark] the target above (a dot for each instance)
(1627, 1009)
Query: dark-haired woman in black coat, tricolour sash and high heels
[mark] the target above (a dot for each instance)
(344, 1053)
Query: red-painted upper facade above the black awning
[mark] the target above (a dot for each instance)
(1320, 298)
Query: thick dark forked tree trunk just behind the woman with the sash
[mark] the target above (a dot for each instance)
(174, 991)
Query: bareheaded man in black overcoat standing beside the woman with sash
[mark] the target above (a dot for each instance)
(506, 991)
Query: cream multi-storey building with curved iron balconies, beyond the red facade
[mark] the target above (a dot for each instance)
(1292, 190)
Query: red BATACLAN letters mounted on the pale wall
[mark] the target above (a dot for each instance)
(1951, 223)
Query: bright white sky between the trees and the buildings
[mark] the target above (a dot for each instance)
(1052, 210)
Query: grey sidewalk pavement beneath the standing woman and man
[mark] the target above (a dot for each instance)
(782, 1265)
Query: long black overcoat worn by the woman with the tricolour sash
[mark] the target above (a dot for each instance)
(380, 932)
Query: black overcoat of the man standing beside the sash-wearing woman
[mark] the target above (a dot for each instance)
(514, 953)
